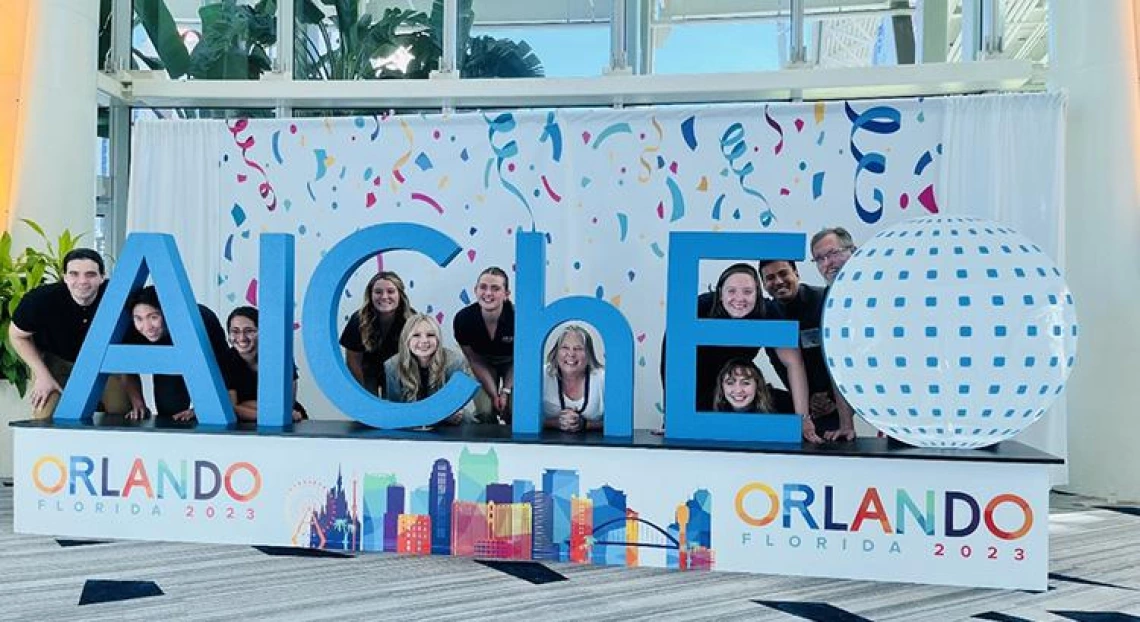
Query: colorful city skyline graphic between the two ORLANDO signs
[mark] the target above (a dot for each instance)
(467, 511)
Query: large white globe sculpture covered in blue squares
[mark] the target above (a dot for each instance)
(950, 332)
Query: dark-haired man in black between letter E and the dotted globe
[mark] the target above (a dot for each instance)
(804, 304)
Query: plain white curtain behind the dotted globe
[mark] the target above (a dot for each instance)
(1006, 162)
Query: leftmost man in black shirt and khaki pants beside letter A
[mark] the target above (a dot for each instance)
(48, 330)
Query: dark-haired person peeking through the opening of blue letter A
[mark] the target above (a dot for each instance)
(172, 398)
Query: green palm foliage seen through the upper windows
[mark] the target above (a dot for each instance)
(339, 45)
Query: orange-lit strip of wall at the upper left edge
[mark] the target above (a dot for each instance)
(13, 29)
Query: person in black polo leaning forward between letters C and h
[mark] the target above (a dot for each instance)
(485, 331)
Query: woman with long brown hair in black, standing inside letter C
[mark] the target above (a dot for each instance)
(373, 333)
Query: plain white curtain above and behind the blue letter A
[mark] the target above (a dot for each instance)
(176, 189)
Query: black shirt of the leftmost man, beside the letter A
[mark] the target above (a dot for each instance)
(58, 323)
